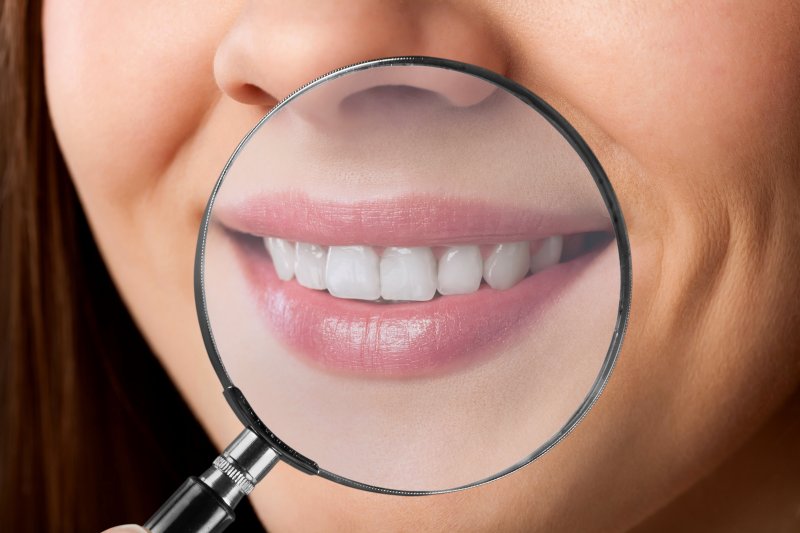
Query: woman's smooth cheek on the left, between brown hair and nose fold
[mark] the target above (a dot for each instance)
(127, 84)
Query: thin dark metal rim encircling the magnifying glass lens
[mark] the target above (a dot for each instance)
(237, 400)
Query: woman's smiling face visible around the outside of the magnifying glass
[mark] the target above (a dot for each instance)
(692, 112)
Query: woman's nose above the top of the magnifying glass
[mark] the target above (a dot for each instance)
(276, 46)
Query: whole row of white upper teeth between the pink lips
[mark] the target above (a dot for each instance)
(409, 273)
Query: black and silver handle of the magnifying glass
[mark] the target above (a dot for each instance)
(206, 503)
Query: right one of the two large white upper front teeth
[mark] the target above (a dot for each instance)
(408, 274)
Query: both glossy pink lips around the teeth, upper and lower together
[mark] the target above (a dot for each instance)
(402, 339)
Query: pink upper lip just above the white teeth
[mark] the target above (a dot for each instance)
(415, 220)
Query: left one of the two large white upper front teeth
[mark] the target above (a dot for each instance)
(353, 272)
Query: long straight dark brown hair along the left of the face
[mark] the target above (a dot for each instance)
(92, 433)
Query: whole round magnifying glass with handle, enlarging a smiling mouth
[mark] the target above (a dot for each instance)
(412, 277)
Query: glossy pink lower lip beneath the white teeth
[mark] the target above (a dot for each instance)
(404, 339)
